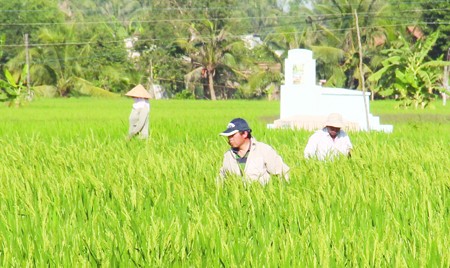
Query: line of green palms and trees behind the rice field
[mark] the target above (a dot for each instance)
(197, 49)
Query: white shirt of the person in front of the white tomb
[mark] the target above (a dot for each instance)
(322, 146)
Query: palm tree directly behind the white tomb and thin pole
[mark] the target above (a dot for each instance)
(336, 46)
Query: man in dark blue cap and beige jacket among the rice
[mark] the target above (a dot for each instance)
(253, 160)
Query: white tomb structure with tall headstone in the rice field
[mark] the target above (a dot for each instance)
(305, 105)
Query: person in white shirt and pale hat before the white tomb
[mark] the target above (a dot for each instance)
(329, 142)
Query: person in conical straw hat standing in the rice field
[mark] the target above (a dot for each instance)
(138, 119)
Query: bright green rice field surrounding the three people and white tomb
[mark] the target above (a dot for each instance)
(75, 193)
